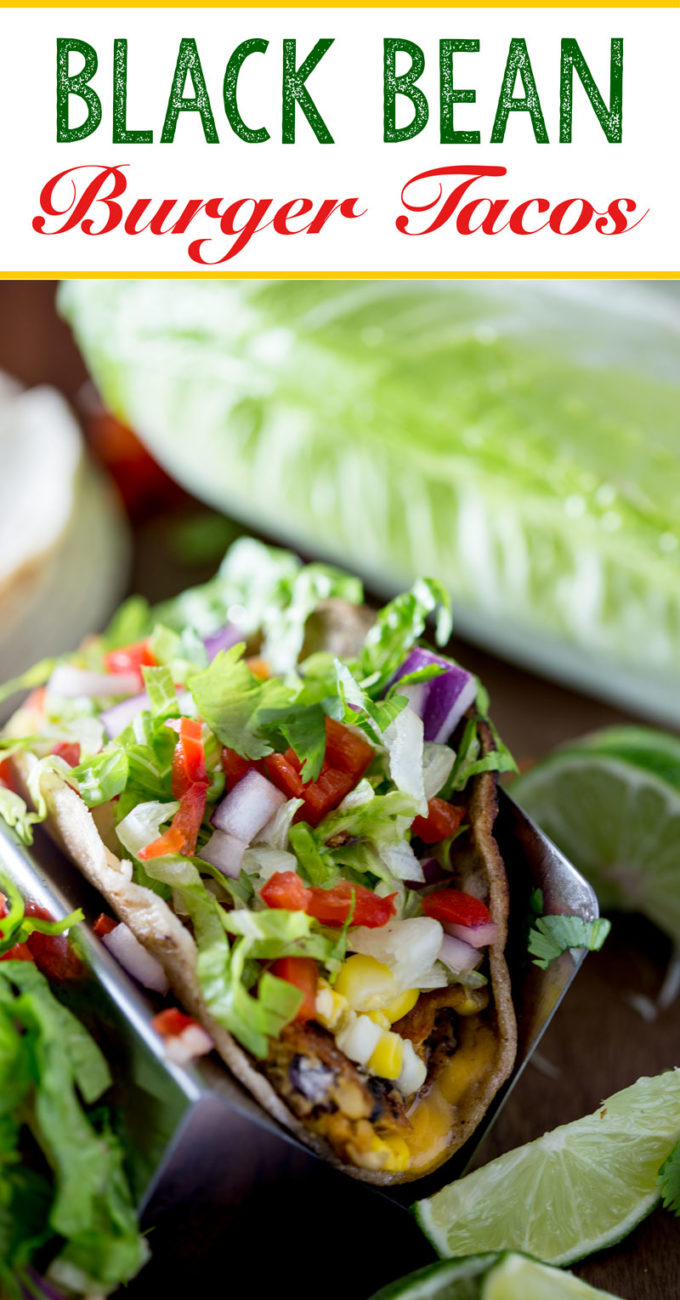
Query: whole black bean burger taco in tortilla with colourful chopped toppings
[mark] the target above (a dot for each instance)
(289, 804)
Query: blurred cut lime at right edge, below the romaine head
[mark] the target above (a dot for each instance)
(613, 805)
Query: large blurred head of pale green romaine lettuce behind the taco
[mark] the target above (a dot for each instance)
(519, 447)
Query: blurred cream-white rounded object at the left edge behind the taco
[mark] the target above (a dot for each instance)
(64, 543)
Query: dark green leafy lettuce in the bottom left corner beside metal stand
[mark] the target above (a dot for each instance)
(70, 1198)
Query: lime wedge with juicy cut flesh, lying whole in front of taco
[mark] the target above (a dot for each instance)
(573, 1191)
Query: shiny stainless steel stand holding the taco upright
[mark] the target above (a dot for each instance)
(227, 1193)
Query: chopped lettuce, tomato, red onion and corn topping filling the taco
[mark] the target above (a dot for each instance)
(280, 804)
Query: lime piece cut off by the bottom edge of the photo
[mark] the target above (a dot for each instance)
(491, 1277)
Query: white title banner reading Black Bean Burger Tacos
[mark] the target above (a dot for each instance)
(353, 141)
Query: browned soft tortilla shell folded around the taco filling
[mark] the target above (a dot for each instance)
(163, 934)
